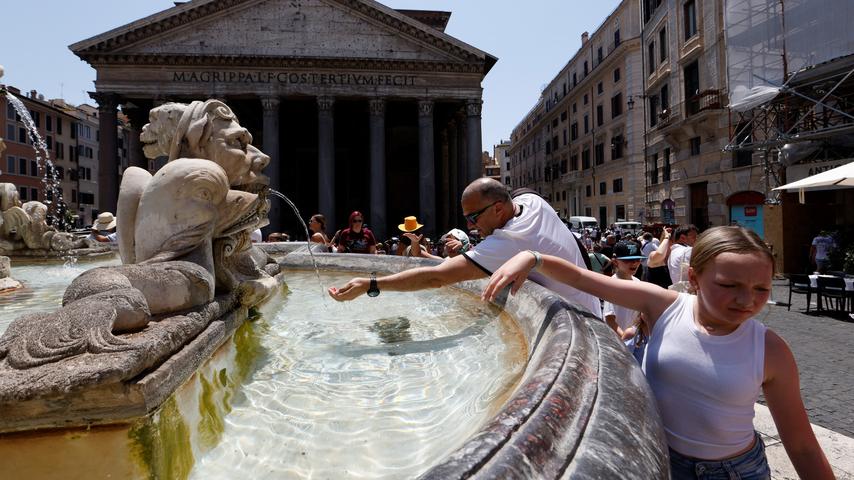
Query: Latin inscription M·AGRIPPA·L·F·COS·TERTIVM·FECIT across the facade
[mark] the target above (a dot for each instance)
(293, 78)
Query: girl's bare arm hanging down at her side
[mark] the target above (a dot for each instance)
(782, 392)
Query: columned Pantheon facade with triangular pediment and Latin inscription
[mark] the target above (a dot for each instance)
(359, 106)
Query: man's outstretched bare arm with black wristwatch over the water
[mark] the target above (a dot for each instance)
(453, 270)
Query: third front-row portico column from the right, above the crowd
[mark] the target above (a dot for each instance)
(379, 219)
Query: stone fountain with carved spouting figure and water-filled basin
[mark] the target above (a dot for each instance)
(151, 370)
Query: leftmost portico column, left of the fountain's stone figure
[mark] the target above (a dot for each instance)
(108, 165)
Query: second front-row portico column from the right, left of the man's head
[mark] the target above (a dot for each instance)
(426, 167)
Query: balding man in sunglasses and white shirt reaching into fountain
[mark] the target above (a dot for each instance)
(508, 226)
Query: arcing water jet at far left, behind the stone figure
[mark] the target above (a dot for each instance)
(53, 191)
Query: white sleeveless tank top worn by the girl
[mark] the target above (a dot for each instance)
(705, 385)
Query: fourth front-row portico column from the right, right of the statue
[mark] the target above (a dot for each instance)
(326, 160)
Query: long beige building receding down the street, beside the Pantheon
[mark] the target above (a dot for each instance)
(581, 145)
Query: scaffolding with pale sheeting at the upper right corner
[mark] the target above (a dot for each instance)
(790, 68)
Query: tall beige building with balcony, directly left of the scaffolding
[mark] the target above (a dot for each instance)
(690, 179)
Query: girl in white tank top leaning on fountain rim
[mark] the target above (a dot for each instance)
(708, 358)
